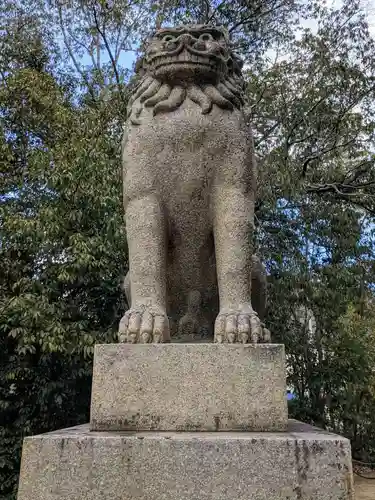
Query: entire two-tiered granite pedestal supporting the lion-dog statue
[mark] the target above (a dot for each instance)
(146, 401)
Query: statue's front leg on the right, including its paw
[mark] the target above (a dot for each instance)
(233, 214)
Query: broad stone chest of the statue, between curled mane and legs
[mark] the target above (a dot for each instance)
(185, 151)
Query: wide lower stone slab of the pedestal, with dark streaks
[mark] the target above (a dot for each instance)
(75, 464)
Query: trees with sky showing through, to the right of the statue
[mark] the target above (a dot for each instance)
(313, 115)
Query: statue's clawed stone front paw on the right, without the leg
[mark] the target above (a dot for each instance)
(241, 325)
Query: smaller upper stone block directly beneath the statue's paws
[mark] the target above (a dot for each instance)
(189, 387)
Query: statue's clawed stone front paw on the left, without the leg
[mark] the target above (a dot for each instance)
(144, 325)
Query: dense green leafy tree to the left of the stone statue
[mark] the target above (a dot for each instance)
(62, 243)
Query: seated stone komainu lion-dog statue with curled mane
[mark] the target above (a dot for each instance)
(189, 186)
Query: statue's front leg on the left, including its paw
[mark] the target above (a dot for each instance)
(146, 320)
